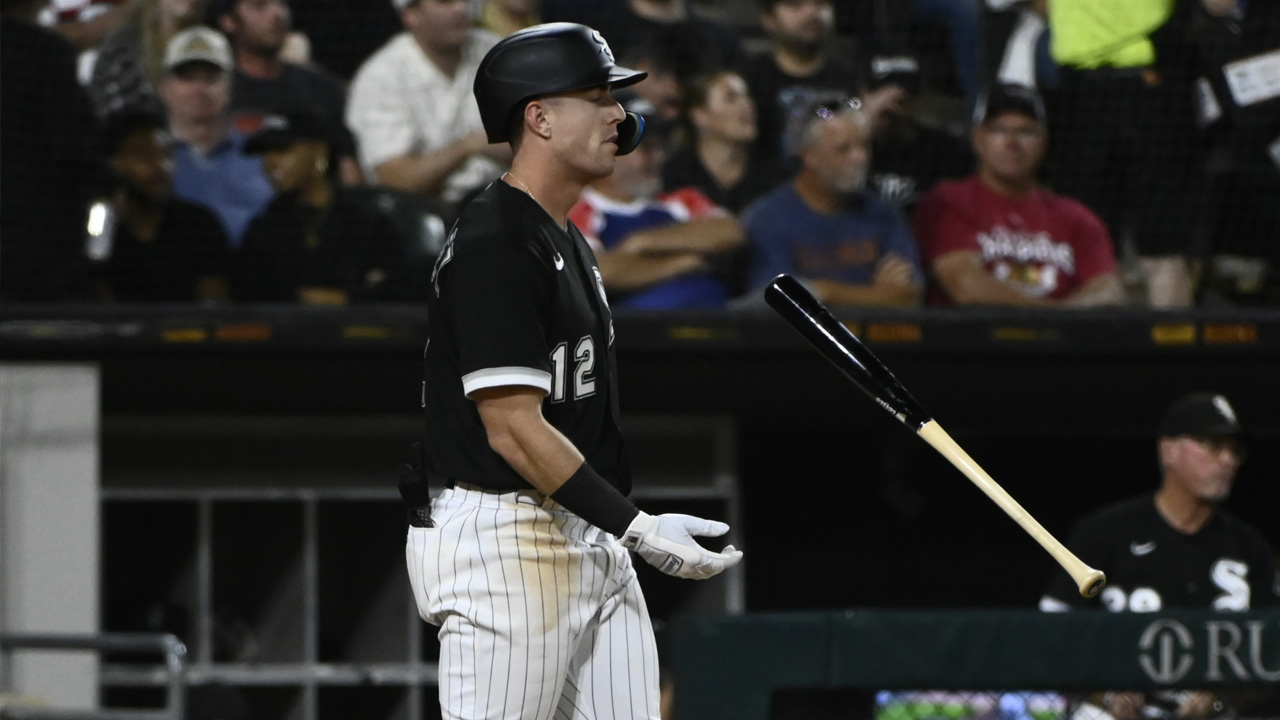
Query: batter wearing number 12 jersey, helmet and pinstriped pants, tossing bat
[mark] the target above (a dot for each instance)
(523, 559)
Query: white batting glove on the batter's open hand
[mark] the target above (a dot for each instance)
(668, 544)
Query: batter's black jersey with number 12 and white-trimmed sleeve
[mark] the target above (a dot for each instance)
(518, 300)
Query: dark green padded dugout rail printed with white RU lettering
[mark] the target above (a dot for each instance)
(739, 668)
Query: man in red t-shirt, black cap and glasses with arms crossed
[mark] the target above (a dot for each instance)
(998, 238)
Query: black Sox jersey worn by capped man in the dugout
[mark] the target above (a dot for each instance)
(1153, 567)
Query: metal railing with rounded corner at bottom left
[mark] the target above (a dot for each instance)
(170, 646)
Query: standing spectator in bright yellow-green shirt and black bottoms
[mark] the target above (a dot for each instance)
(1127, 142)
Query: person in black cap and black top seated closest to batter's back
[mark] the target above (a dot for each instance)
(317, 243)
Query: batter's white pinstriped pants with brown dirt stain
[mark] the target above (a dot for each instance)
(541, 613)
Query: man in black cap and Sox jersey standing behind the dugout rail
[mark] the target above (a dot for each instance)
(1177, 549)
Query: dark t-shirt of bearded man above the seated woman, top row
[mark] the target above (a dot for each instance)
(780, 97)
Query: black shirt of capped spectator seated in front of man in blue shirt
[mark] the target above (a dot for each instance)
(190, 245)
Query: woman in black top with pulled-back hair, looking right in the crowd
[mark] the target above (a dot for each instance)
(716, 154)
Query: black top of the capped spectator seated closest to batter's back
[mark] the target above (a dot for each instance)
(349, 247)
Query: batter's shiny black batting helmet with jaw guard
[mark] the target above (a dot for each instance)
(543, 61)
